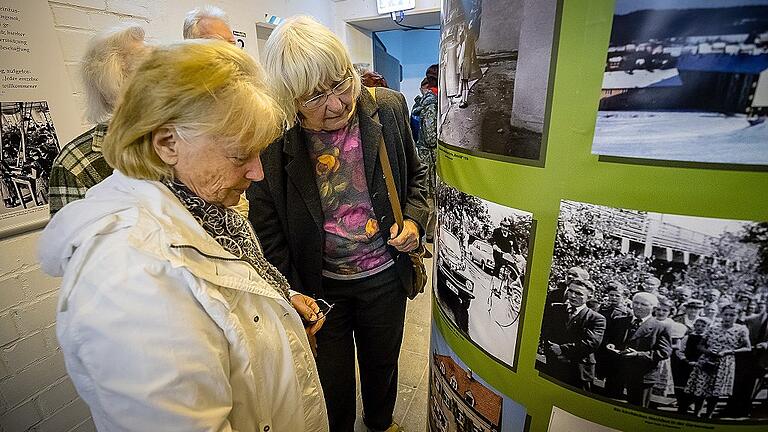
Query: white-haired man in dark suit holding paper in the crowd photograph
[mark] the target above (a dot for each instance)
(639, 343)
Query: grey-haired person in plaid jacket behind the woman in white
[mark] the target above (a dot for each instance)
(107, 64)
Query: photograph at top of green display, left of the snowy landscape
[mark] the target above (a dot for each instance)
(495, 60)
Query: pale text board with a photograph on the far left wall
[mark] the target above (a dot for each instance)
(38, 114)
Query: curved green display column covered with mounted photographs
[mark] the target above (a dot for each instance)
(628, 292)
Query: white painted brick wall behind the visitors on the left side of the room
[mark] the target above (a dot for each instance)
(34, 389)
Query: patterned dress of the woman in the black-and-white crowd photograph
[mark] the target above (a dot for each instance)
(713, 376)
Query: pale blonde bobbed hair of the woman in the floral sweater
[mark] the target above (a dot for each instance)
(302, 57)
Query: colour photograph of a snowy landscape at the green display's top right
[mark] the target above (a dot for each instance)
(686, 81)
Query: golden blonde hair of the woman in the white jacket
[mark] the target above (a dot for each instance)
(201, 87)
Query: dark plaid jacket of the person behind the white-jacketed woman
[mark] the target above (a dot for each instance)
(78, 167)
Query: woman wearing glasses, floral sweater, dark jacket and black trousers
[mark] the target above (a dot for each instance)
(323, 214)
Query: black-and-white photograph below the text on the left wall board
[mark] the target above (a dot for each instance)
(29, 146)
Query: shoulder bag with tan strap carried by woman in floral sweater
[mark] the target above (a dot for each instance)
(417, 255)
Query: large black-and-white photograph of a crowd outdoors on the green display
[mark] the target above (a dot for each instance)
(663, 312)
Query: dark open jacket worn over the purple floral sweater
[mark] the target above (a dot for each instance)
(285, 208)
